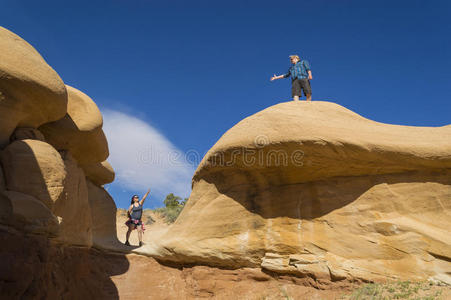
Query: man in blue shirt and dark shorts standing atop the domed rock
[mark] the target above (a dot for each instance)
(301, 74)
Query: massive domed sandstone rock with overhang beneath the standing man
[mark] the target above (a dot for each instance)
(314, 189)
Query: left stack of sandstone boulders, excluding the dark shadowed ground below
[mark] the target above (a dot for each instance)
(43, 187)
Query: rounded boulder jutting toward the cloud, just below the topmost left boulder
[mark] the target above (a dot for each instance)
(80, 131)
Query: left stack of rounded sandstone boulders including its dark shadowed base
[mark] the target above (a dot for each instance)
(46, 208)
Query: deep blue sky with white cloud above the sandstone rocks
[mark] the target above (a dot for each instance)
(180, 73)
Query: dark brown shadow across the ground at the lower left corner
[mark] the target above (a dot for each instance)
(32, 267)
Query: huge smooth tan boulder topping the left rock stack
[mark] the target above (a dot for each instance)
(31, 92)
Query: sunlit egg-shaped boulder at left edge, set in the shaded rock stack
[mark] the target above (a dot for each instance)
(35, 168)
